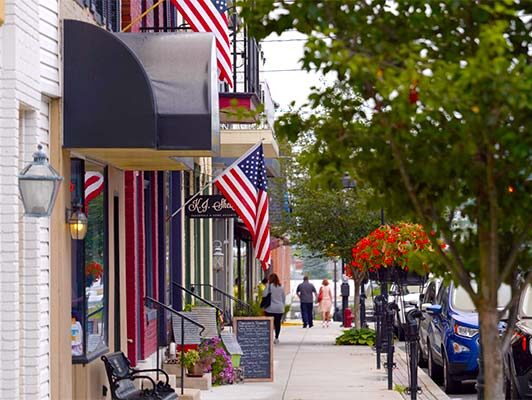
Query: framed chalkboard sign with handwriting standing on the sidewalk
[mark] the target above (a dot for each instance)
(254, 334)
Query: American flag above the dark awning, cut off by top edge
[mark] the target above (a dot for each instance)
(209, 16)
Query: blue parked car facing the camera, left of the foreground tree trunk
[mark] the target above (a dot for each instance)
(453, 335)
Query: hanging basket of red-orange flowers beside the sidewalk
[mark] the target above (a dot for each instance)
(384, 253)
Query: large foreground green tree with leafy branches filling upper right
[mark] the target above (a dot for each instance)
(432, 105)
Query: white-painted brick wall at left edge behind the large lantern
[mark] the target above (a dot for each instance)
(29, 71)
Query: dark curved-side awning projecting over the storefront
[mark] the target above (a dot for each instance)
(140, 90)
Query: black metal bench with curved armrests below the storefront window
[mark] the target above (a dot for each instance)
(121, 376)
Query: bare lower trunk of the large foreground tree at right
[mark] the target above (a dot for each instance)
(491, 353)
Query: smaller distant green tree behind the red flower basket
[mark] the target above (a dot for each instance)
(329, 221)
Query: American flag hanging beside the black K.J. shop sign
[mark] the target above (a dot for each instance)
(244, 185)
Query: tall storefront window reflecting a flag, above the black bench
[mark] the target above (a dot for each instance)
(90, 264)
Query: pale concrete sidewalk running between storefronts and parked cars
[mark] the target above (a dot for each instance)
(309, 366)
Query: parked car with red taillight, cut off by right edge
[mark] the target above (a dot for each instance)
(518, 359)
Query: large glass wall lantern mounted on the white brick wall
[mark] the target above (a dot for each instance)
(38, 185)
